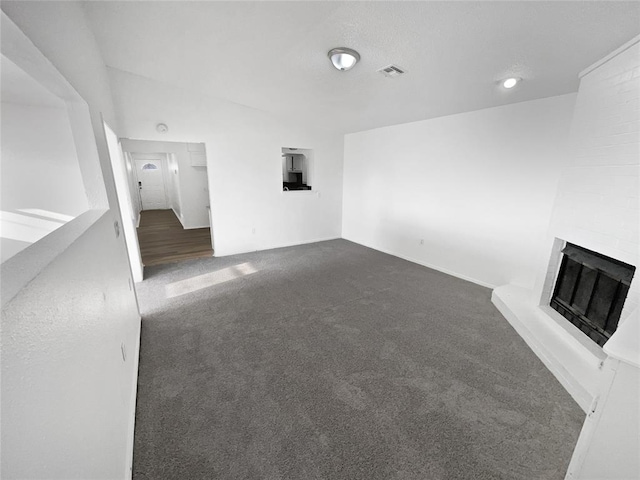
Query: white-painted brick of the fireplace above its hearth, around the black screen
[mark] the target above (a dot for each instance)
(597, 204)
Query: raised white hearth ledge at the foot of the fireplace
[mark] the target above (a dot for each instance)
(575, 360)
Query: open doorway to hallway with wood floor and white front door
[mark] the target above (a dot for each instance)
(169, 191)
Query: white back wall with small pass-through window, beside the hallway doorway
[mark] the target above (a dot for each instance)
(244, 155)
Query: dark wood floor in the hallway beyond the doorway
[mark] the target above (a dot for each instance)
(163, 240)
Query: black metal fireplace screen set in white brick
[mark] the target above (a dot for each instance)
(590, 291)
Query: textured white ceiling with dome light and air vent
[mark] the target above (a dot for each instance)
(272, 55)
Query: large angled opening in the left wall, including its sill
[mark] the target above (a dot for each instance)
(61, 195)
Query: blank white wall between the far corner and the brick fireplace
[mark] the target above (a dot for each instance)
(478, 187)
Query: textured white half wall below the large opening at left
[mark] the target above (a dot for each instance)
(66, 390)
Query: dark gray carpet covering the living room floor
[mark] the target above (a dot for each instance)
(334, 361)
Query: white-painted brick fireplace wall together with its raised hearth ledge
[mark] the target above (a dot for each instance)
(596, 207)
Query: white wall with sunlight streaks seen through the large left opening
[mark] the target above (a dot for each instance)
(40, 173)
